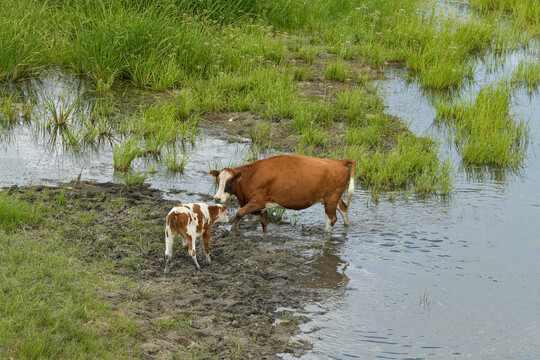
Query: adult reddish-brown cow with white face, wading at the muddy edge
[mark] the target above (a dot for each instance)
(287, 181)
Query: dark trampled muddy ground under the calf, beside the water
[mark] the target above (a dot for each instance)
(244, 305)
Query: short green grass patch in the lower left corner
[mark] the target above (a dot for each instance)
(51, 304)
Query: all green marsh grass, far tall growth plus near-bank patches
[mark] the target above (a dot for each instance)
(303, 70)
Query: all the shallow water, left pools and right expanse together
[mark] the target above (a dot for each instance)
(411, 278)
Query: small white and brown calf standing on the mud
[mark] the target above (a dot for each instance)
(190, 221)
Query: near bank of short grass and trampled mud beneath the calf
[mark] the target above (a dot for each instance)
(82, 277)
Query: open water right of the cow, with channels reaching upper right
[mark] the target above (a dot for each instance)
(441, 278)
